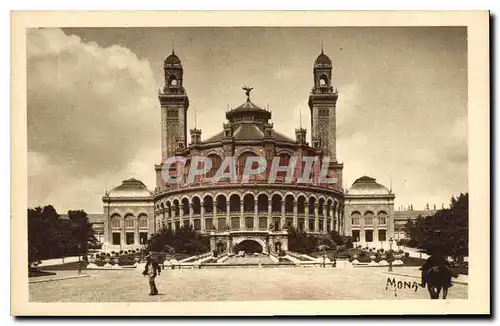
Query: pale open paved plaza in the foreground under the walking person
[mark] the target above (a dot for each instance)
(233, 284)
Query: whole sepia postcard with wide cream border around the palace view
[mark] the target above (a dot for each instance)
(314, 165)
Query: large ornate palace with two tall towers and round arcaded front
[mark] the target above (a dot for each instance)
(253, 212)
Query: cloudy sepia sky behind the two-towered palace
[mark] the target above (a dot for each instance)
(94, 118)
